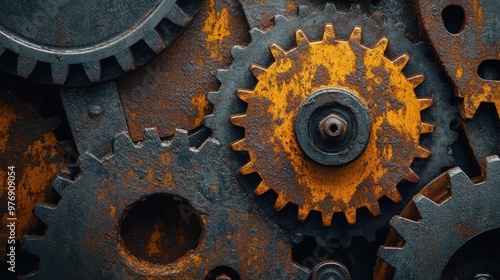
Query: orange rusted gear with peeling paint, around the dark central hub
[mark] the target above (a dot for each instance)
(393, 141)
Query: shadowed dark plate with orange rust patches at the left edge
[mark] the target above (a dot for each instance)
(27, 141)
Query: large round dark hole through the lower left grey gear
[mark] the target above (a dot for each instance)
(160, 229)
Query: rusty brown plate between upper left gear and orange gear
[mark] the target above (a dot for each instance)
(170, 91)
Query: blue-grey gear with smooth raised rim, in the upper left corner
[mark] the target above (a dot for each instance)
(57, 43)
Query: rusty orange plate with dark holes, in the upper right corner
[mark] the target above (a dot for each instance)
(465, 34)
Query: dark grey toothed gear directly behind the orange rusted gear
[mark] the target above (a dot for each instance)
(283, 34)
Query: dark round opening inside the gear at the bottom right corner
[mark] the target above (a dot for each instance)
(478, 256)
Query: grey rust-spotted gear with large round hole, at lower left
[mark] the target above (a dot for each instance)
(84, 239)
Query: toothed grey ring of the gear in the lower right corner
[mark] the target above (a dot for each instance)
(429, 243)
